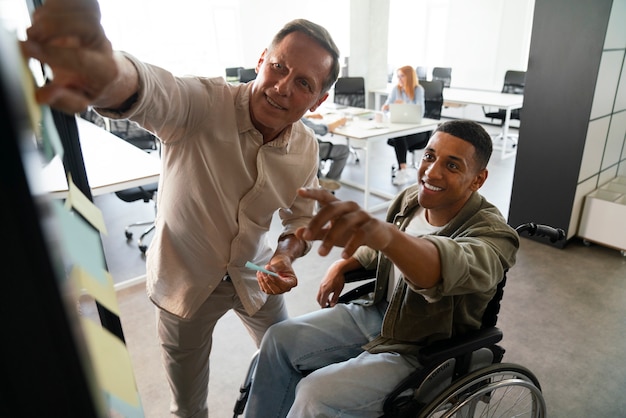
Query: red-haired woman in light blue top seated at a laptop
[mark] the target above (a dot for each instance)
(408, 90)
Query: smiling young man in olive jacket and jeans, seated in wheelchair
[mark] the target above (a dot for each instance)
(438, 258)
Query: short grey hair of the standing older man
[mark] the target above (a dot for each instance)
(321, 36)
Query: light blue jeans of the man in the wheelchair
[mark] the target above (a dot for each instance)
(342, 380)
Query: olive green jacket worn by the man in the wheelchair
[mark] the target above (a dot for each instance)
(476, 248)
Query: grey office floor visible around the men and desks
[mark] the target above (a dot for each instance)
(563, 317)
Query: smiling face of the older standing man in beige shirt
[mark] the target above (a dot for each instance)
(289, 82)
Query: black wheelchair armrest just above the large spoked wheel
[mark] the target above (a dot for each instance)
(459, 345)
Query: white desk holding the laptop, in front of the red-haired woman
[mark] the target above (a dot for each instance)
(366, 132)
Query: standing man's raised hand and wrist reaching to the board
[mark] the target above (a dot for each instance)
(67, 36)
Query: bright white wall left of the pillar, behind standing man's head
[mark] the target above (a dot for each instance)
(205, 36)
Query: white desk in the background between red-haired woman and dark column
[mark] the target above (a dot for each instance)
(505, 101)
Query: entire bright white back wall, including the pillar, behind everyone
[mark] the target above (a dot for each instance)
(480, 39)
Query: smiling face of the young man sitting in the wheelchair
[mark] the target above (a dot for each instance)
(447, 176)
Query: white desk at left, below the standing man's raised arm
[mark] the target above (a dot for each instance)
(111, 163)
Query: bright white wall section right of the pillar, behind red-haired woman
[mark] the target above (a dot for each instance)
(479, 39)
